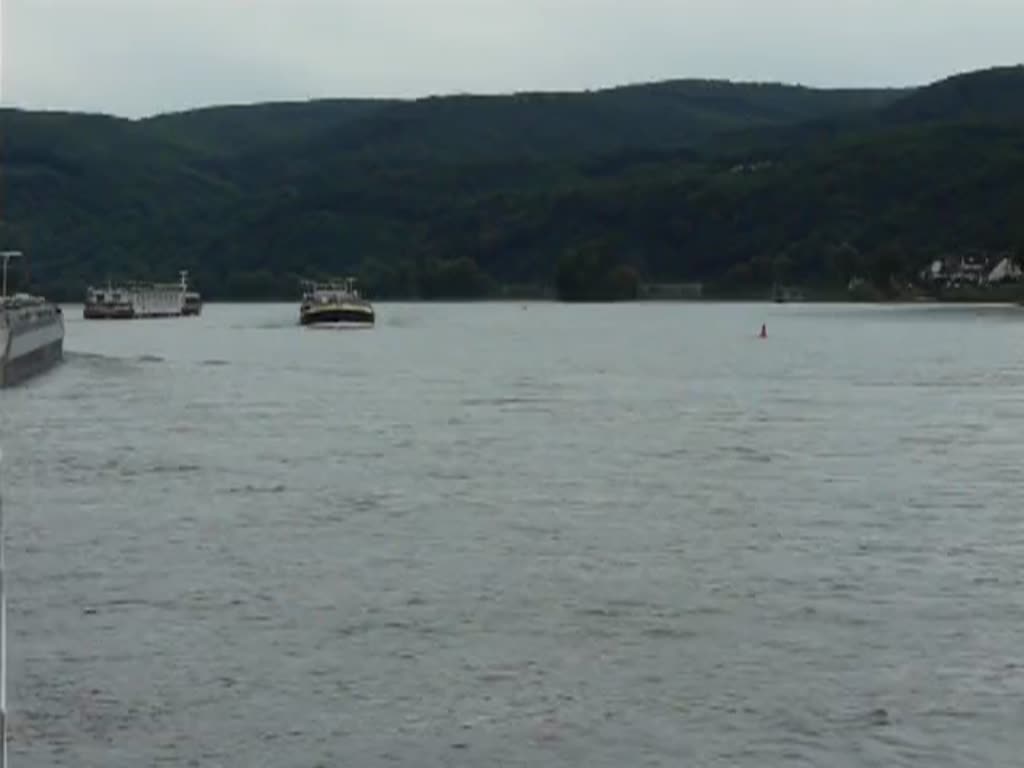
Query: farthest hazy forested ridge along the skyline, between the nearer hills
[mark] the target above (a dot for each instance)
(686, 113)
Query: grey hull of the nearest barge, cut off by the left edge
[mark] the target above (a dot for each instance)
(32, 335)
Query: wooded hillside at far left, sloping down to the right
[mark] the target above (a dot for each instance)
(87, 196)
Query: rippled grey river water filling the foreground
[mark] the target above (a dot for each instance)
(503, 535)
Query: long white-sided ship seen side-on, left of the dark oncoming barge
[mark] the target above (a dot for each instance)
(140, 301)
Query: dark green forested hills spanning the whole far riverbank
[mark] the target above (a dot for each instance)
(589, 196)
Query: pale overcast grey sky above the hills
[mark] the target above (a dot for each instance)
(137, 58)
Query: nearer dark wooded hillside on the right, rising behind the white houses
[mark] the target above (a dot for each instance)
(906, 196)
